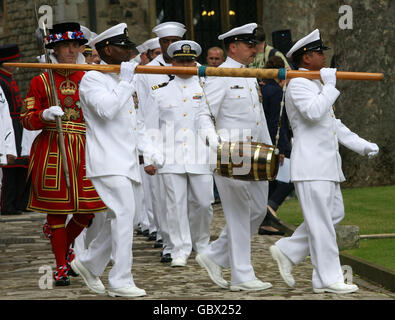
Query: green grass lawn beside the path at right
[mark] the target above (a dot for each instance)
(372, 209)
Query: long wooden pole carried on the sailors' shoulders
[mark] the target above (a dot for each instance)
(209, 71)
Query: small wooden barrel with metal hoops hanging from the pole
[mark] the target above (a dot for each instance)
(249, 161)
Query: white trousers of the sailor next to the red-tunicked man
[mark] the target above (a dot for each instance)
(116, 236)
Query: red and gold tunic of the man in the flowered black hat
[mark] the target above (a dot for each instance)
(49, 192)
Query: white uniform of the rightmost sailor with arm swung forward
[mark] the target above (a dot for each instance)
(316, 173)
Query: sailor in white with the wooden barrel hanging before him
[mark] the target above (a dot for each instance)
(236, 107)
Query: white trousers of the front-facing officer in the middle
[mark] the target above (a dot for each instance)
(188, 211)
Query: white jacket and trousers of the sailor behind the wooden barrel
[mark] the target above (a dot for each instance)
(239, 115)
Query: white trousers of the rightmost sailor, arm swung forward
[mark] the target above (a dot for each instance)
(322, 206)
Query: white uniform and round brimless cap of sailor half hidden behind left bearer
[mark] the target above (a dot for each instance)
(144, 84)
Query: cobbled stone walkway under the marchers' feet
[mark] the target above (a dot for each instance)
(24, 250)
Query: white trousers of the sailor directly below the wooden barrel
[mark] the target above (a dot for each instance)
(244, 205)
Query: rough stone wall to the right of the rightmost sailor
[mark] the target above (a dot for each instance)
(367, 108)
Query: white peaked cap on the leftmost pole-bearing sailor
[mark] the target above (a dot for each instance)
(116, 35)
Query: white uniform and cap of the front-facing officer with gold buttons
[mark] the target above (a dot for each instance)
(186, 172)
